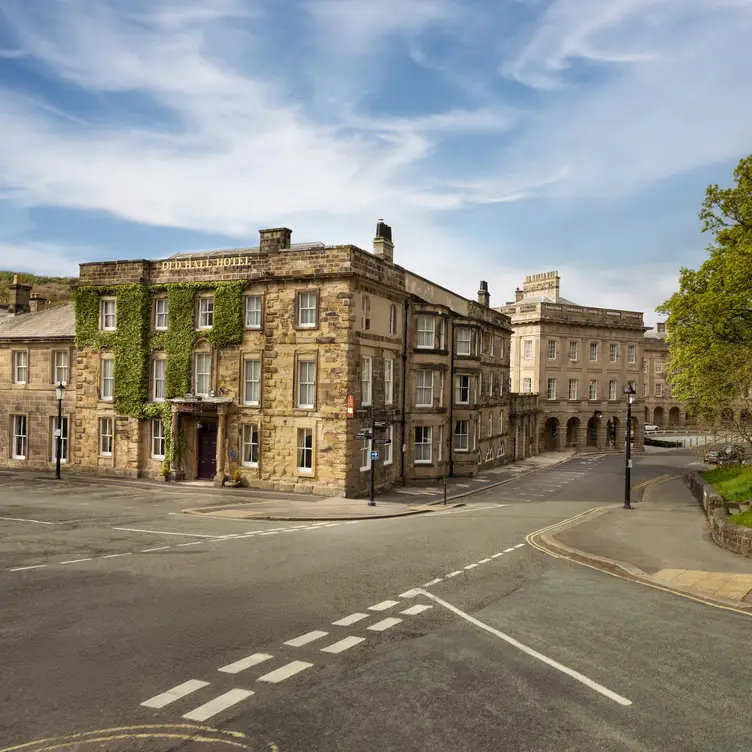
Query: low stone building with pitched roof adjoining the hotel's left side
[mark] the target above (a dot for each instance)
(36, 354)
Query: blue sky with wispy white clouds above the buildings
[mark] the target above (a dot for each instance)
(498, 138)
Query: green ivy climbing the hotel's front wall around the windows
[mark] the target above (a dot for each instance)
(133, 342)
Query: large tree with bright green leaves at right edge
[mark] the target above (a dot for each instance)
(709, 321)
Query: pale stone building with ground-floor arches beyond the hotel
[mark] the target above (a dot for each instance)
(579, 360)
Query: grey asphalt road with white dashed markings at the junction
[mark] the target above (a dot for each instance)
(129, 626)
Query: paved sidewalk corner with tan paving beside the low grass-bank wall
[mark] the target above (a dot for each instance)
(666, 536)
